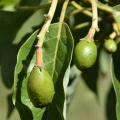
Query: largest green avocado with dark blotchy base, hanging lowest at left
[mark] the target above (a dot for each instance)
(40, 87)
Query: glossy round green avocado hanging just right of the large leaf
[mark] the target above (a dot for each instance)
(85, 54)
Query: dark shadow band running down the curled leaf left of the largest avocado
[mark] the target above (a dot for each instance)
(25, 112)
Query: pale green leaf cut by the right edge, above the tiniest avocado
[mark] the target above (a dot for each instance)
(116, 13)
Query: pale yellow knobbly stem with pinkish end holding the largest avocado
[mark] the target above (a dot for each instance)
(41, 35)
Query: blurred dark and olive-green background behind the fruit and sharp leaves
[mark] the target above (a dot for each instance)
(90, 94)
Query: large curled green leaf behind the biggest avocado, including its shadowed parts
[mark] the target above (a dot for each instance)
(57, 54)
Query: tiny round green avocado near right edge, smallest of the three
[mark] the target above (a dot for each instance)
(110, 45)
